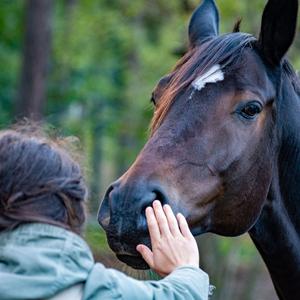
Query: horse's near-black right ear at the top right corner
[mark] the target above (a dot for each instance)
(278, 29)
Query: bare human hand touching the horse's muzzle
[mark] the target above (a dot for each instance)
(173, 245)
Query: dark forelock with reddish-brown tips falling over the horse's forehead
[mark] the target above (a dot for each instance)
(224, 50)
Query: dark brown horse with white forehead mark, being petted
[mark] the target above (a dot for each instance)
(225, 145)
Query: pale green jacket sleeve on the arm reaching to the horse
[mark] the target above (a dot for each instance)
(186, 283)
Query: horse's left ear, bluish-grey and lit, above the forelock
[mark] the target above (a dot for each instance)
(204, 23)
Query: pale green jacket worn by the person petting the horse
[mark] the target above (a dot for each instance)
(38, 261)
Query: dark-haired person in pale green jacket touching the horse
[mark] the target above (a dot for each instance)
(42, 213)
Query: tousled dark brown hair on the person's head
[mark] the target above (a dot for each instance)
(39, 182)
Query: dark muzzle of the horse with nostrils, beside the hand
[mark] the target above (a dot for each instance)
(122, 216)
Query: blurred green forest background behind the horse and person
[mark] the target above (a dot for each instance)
(88, 68)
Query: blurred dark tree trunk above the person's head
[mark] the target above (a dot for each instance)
(32, 93)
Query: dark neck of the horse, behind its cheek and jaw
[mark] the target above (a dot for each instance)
(277, 231)
